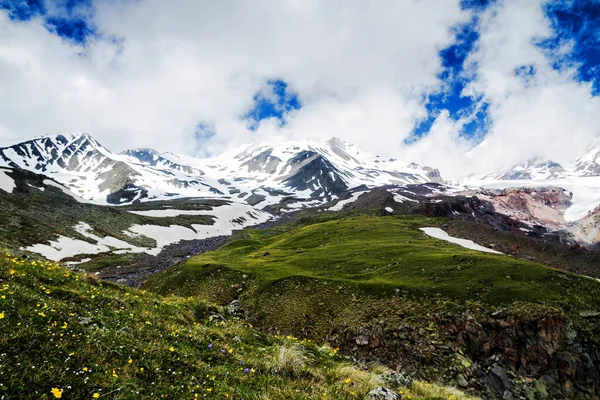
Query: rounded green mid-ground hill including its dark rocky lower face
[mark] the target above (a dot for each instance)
(382, 289)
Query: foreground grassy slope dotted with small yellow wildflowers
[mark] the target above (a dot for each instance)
(86, 339)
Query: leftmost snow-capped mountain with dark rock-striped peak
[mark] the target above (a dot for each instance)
(95, 173)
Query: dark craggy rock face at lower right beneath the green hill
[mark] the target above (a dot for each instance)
(503, 358)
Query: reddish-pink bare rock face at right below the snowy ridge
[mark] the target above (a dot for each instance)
(534, 206)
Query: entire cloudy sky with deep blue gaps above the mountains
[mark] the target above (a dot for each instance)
(422, 80)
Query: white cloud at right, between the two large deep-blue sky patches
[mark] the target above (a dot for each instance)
(549, 115)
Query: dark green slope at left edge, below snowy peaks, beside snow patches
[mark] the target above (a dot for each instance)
(30, 215)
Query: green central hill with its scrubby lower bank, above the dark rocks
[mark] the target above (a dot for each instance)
(348, 271)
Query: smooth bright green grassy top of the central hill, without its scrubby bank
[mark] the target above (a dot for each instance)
(381, 257)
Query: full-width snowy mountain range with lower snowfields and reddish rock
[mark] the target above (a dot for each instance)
(258, 182)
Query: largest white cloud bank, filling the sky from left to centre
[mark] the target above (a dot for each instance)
(358, 69)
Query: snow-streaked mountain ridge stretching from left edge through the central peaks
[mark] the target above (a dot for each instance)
(258, 174)
